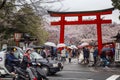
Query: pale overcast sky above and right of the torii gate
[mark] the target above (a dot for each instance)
(85, 5)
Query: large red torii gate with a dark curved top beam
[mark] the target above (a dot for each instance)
(98, 21)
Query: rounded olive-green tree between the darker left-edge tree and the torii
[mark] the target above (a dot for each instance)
(30, 23)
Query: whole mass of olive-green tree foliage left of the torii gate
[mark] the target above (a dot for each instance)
(23, 20)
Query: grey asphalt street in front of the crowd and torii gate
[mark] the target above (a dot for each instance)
(75, 71)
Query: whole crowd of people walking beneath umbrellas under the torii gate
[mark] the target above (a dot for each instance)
(84, 55)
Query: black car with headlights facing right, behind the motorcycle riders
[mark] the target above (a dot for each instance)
(48, 65)
